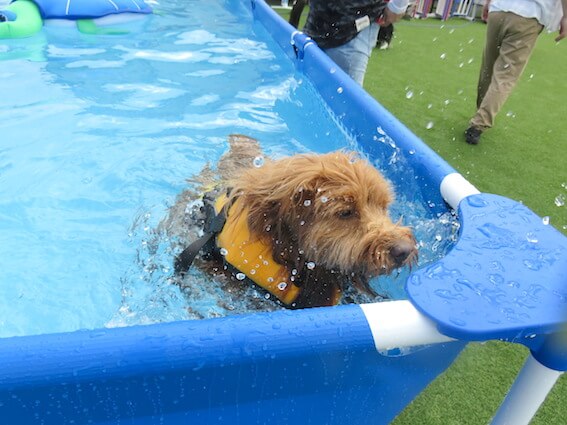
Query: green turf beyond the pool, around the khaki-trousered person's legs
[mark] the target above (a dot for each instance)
(428, 80)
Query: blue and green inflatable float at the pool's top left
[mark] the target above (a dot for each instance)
(23, 18)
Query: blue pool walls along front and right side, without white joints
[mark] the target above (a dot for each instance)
(317, 366)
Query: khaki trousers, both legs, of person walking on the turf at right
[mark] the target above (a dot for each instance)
(510, 40)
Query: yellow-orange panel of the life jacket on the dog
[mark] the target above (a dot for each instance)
(253, 257)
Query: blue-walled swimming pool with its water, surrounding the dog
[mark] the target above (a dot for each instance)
(101, 135)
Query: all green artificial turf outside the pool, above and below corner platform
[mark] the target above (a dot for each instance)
(428, 80)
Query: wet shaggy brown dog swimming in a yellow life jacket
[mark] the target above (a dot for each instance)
(304, 226)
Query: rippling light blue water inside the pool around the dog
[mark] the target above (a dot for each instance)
(98, 134)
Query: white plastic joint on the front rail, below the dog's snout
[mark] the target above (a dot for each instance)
(398, 324)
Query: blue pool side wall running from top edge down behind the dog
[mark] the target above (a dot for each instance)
(365, 119)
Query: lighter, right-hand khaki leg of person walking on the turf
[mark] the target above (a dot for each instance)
(520, 36)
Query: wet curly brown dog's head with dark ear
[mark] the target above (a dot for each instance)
(329, 210)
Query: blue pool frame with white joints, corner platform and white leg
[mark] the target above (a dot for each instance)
(355, 363)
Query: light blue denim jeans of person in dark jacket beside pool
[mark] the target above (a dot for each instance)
(353, 56)
